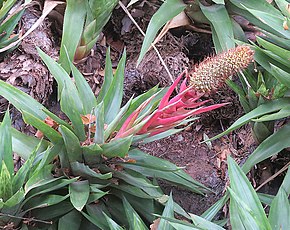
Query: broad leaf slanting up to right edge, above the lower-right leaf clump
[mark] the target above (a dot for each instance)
(269, 147)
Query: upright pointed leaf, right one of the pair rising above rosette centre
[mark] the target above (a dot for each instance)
(113, 98)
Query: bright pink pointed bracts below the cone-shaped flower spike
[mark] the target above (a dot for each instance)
(170, 113)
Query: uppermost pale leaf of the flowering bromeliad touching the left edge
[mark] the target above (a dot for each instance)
(21, 100)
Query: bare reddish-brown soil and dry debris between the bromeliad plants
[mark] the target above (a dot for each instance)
(180, 49)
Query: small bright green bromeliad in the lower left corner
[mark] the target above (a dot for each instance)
(33, 187)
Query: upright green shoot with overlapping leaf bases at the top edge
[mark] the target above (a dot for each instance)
(89, 17)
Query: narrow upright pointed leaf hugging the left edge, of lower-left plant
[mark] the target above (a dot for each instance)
(6, 155)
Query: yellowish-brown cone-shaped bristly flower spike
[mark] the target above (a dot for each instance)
(213, 71)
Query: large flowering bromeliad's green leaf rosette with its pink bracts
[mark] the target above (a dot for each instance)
(104, 181)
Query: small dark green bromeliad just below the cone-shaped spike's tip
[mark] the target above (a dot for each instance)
(259, 88)
